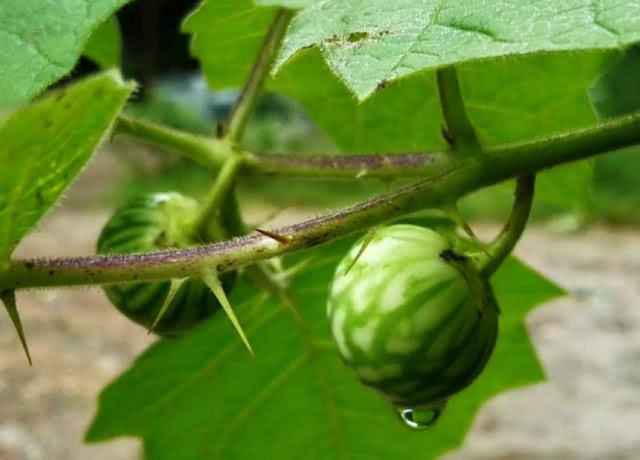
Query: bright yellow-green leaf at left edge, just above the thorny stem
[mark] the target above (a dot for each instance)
(45, 145)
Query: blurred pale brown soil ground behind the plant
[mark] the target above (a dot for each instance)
(588, 343)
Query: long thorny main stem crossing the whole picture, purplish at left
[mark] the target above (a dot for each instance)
(472, 173)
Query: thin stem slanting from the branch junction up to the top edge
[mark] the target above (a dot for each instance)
(254, 85)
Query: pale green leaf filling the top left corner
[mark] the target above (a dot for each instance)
(42, 40)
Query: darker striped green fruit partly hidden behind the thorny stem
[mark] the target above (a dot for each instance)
(152, 223)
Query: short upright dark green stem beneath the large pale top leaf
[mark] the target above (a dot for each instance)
(459, 131)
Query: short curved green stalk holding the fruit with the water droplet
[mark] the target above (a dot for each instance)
(501, 247)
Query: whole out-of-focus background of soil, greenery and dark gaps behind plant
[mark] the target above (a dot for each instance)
(589, 408)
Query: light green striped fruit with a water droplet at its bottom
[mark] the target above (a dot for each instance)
(411, 317)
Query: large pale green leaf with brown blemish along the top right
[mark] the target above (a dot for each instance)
(369, 41)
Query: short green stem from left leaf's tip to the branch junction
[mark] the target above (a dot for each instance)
(207, 151)
